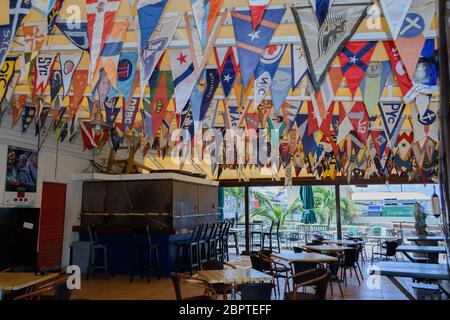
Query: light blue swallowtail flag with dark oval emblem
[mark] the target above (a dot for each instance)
(126, 72)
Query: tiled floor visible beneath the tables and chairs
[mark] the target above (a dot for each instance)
(119, 287)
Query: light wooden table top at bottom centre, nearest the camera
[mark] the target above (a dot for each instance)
(231, 276)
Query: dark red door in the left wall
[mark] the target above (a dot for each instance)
(51, 227)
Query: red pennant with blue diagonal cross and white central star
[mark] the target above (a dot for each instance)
(355, 58)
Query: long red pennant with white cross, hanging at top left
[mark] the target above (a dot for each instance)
(100, 19)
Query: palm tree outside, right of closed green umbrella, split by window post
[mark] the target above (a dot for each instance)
(325, 206)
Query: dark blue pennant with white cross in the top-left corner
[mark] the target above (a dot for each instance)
(18, 10)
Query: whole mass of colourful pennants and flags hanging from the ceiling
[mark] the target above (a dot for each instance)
(317, 133)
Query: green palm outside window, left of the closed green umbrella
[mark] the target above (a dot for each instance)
(273, 212)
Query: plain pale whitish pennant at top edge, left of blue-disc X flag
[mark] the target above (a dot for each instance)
(395, 12)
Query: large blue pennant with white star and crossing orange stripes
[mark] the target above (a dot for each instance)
(251, 44)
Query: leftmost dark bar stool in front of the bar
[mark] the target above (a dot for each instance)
(94, 247)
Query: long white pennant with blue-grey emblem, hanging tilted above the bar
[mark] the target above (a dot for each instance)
(151, 53)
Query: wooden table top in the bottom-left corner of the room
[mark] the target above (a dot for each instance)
(12, 281)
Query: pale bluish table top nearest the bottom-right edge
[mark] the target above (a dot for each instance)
(412, 270)
